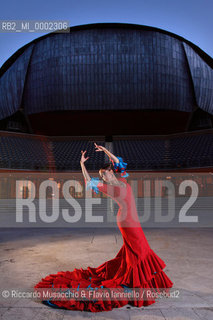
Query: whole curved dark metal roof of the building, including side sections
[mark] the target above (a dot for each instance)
(107, 67)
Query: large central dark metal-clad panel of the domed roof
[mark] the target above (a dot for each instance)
(106, 69)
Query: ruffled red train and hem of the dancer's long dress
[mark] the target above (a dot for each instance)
(147, 273)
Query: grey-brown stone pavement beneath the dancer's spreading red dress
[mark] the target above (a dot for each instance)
(27, 255)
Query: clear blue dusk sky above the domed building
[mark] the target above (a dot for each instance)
(191, 19)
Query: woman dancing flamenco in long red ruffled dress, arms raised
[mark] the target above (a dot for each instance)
(136, 265)
